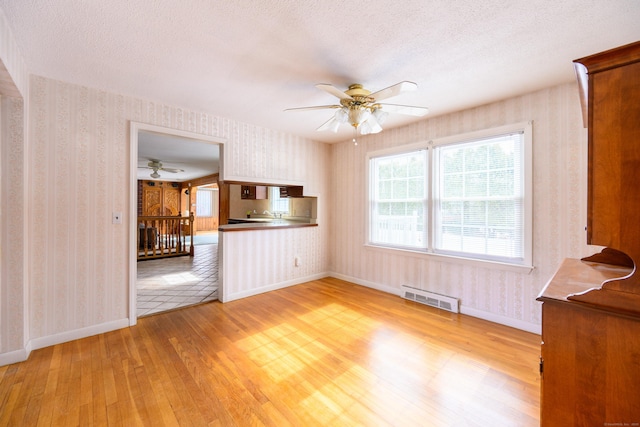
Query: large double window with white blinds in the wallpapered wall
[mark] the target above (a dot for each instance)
(466, 196)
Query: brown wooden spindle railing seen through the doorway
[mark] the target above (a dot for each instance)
(164, 236)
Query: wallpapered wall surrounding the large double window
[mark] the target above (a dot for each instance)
(559, 216)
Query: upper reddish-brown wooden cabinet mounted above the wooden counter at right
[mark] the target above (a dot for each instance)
(613, 111)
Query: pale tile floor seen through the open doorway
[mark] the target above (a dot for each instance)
(169, 283)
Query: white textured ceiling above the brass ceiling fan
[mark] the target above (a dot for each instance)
(248, 60)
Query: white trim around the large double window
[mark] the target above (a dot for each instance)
(527, 265)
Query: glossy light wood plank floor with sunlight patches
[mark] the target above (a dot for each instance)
(323, 353)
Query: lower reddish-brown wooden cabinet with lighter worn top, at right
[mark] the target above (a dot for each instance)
(590, 356)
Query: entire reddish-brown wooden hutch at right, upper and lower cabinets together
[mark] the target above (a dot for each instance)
(590, 356)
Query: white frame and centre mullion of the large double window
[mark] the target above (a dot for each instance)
(526, 128)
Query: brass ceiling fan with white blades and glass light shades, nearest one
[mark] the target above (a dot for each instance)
(362, 109)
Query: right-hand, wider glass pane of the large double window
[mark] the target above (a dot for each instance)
(479, 198)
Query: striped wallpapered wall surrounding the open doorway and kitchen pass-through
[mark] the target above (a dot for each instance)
(79, 163)
